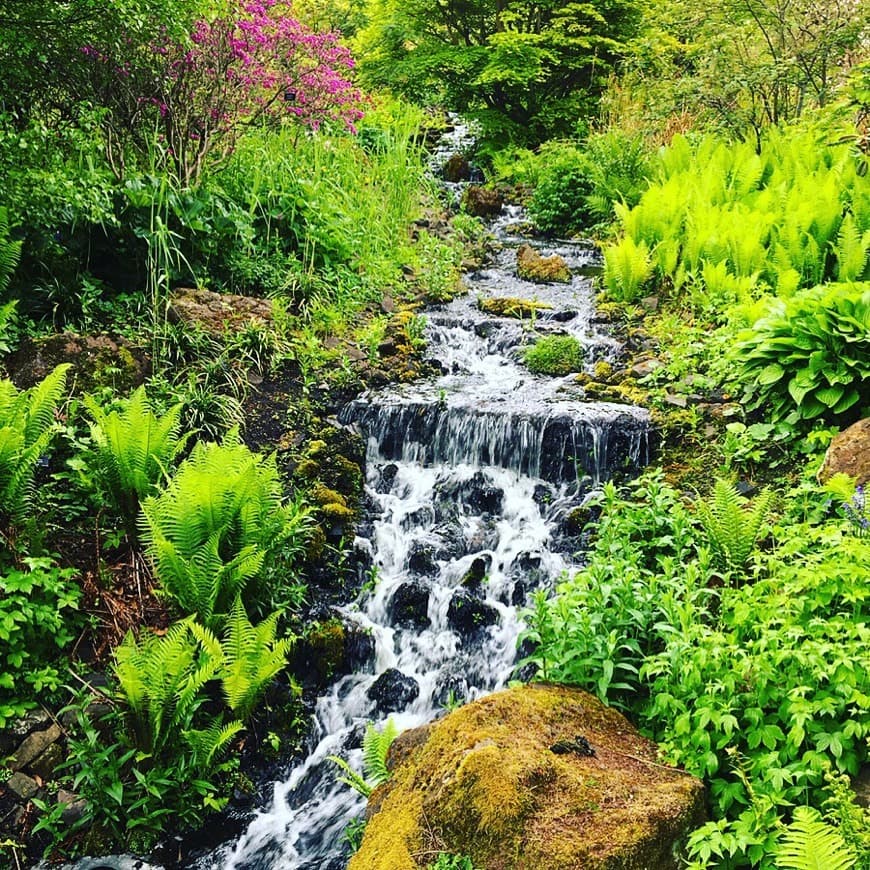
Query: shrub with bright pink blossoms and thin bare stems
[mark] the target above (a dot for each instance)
(199, 95)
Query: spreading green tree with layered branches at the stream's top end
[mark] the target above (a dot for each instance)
(528, 70)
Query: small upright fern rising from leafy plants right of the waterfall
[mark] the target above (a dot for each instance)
(731, 525)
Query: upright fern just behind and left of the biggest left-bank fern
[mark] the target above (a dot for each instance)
(134, 449)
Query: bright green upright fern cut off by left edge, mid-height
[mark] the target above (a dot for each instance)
(27, 427)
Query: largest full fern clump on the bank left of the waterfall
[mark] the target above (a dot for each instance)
(220, 529)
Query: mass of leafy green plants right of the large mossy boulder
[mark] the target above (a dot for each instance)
(758, 689)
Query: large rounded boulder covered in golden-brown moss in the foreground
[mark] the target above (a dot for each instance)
(491, 780)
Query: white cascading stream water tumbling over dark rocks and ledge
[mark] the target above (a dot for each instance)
(470, 475)
